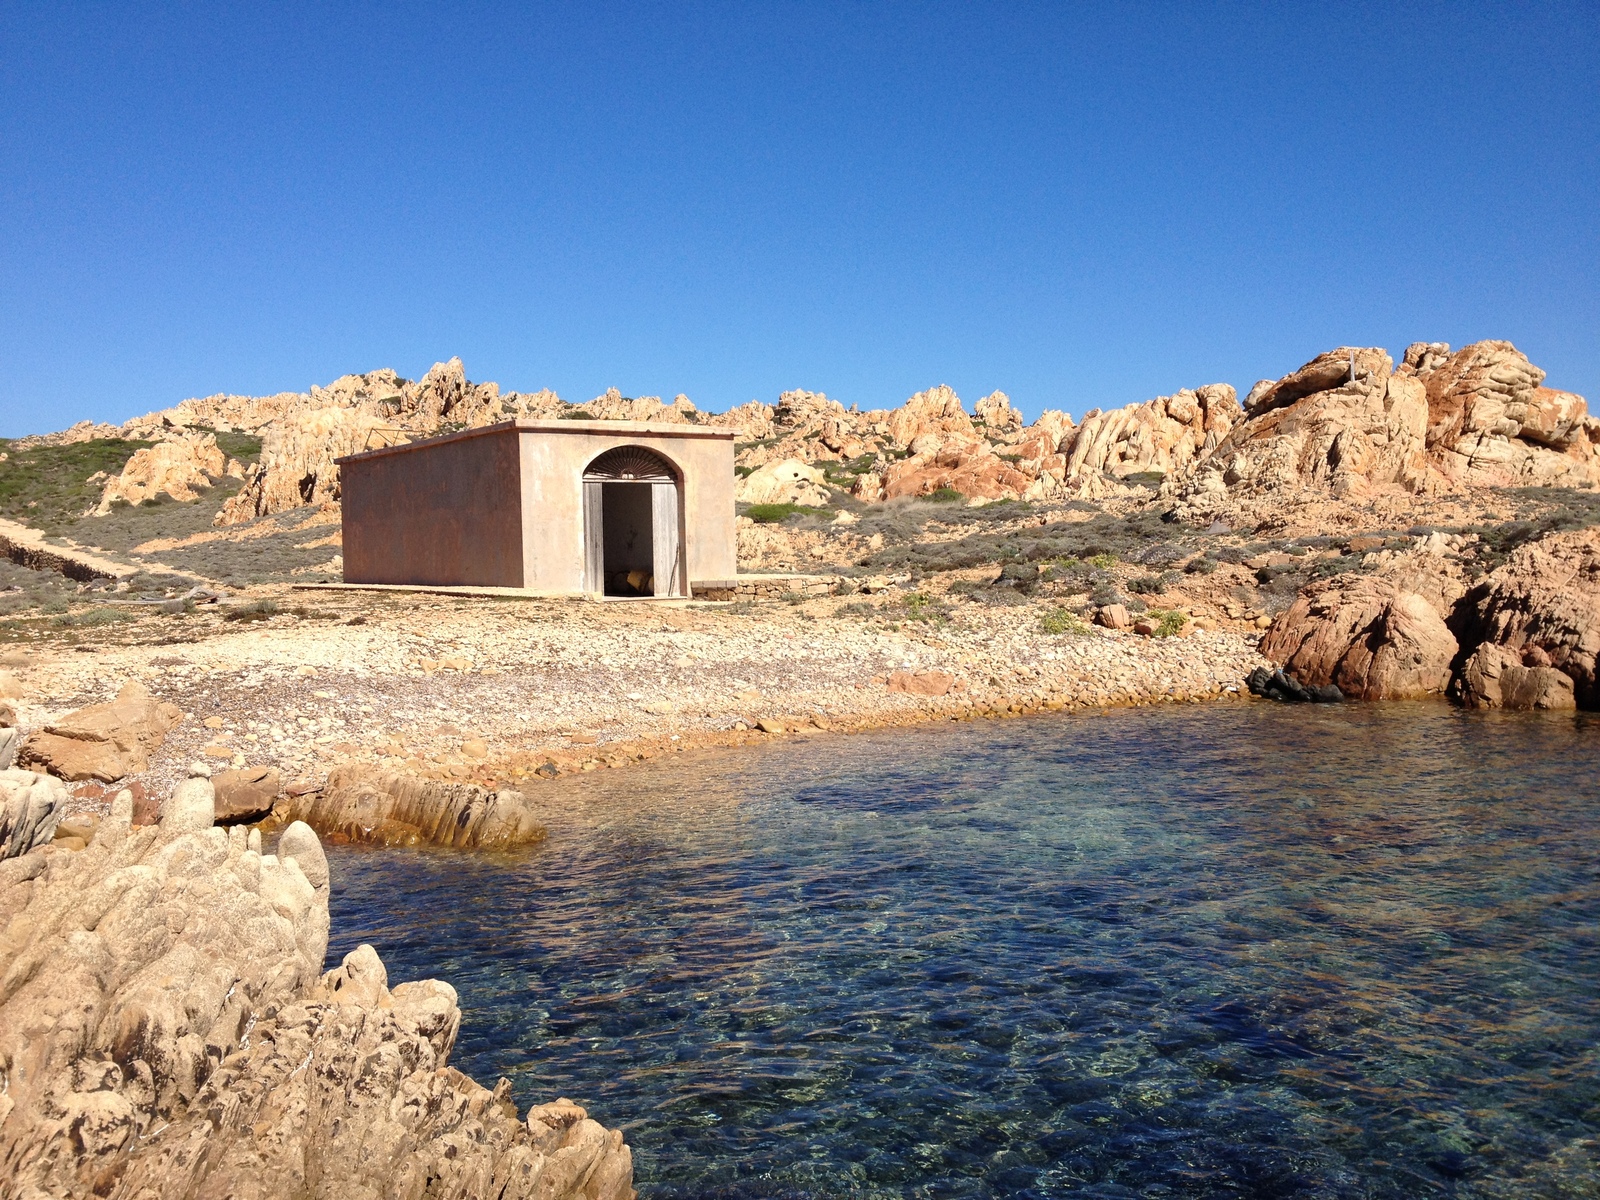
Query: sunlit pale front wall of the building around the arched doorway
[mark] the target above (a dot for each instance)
(553, 471)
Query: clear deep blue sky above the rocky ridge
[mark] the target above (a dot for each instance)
(1081, 206)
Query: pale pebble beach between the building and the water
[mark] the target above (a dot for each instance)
(521, 692)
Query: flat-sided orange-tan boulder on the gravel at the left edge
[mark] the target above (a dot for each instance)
(103, 742)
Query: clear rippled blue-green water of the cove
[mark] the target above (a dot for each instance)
(1230, 951)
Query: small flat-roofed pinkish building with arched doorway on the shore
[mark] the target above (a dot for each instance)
(561, 508)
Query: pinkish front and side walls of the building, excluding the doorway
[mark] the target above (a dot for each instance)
(441, 513)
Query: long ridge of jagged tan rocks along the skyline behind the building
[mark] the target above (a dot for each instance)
(1345, 426)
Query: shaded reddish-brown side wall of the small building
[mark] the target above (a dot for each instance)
(444, 514)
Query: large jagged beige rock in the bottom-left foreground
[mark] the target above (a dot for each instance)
(167, 1031)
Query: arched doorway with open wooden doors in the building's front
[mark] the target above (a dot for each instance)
(633, 530)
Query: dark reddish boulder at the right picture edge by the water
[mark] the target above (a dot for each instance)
(1543, 607)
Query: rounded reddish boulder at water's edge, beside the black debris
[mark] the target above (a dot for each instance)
(1364, 636)
